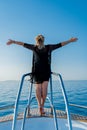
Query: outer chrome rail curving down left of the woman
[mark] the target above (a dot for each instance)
(17, 100)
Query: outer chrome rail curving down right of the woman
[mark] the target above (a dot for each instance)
(65, 99)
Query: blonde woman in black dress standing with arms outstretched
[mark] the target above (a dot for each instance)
(41, 66)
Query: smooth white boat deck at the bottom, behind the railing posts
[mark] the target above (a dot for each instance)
(44, 123)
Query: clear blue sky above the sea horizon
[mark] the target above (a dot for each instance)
(57, 20)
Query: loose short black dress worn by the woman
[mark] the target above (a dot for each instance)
(41, 61)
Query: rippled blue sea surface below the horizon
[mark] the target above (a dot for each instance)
(76, 91)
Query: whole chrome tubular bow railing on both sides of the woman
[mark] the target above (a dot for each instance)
(51, 102)
